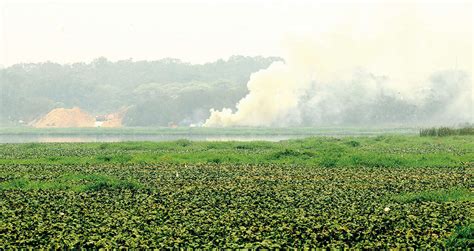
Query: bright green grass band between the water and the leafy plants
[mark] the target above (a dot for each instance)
(386, 151)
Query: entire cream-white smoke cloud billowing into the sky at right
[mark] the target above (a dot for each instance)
(404, 65)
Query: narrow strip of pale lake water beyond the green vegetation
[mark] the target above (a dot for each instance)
(29, 135)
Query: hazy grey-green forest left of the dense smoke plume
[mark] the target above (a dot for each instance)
(155, 93)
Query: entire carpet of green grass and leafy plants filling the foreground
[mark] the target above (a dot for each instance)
(360, 192)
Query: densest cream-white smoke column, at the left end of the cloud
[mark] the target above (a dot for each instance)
(274, 95)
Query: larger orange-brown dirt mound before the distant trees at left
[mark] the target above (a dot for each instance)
(62, 117)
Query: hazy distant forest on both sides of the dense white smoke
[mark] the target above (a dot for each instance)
(171, 92)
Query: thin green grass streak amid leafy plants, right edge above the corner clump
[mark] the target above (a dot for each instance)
(454, 194)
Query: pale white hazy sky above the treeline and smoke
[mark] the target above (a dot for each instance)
(205, 30)
